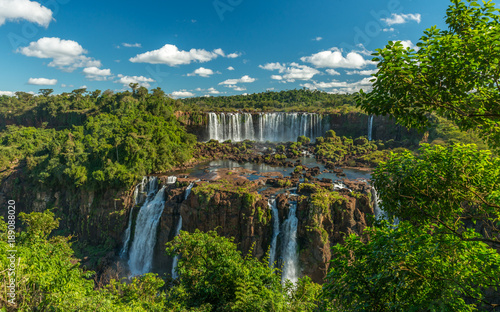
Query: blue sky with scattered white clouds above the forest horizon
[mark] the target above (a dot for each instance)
(204, 47)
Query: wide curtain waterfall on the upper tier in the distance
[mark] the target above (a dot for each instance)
(274, 127)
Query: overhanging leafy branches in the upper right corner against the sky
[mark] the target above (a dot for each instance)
(455, 73)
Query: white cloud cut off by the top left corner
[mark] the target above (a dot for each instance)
(32, 11)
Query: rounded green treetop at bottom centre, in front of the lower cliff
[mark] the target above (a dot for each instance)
(213, 276)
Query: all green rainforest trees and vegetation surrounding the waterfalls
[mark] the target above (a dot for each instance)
(437, 250)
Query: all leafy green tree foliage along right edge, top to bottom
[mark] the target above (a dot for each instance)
(443, 255)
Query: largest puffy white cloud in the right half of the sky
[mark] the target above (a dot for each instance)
(334, 59)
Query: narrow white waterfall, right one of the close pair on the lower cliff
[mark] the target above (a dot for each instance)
(290, 254)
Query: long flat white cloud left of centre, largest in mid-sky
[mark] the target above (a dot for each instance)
(170, 55)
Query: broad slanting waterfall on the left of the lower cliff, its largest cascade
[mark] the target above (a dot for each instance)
(142, 248)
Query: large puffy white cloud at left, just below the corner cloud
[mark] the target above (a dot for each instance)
(66, 55)
